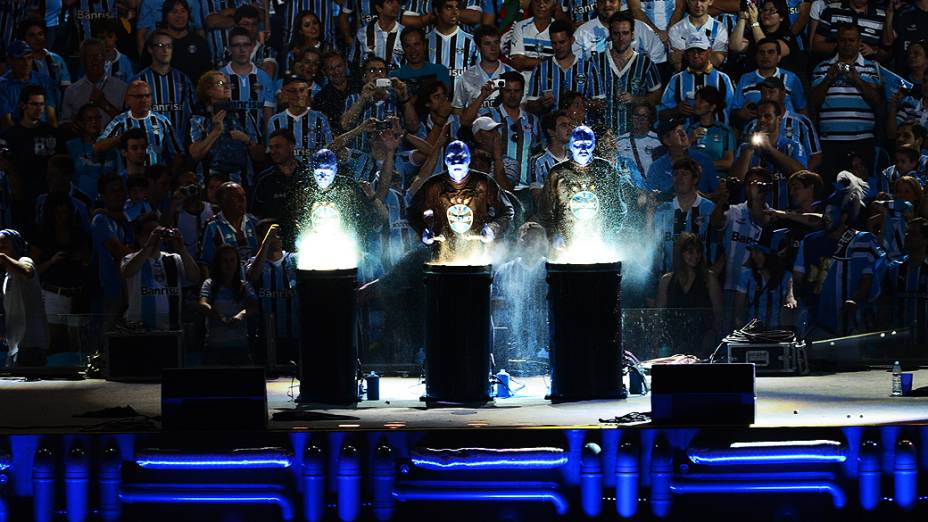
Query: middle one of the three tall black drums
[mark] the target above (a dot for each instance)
(457, 333)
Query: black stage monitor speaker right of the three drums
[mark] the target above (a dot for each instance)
(702, 394)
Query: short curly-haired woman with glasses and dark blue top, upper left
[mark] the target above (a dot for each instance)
(218, 137)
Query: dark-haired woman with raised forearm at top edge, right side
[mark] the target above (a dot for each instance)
(771, 24)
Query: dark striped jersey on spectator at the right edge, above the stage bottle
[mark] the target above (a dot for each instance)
(907, 284)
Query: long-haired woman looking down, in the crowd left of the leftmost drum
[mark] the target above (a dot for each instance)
(227, 301)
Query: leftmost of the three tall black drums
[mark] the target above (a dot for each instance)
(329, 346)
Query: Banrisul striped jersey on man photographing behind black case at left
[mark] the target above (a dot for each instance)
(155, 291)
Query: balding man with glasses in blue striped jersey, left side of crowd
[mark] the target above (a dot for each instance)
(163, 142)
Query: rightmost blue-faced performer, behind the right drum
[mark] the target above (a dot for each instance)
(583, 196)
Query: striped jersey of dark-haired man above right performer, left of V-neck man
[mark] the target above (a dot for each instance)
(581, 76)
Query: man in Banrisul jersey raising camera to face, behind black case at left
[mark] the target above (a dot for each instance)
(154, 278)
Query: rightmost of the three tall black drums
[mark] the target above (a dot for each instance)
(585, 329)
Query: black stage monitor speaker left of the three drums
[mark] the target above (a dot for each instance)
(213, 399)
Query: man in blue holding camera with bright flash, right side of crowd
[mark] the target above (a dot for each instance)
(769, 149)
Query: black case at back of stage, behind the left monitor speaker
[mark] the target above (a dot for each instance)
(141, 356)
